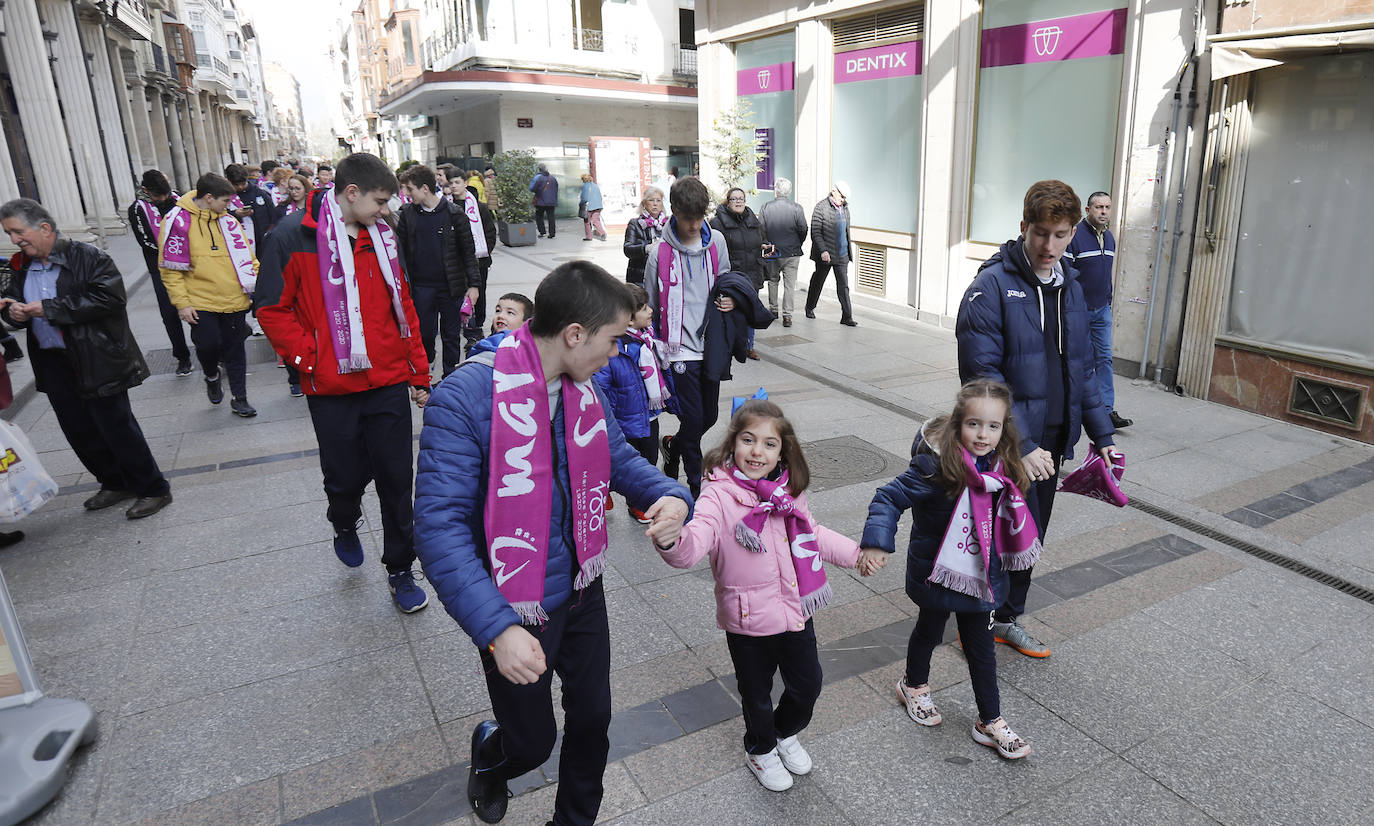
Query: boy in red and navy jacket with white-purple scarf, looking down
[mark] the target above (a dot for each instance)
(332, 300)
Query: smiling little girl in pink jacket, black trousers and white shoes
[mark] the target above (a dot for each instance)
(754, 523)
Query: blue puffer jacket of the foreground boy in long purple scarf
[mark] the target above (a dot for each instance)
(451, 498)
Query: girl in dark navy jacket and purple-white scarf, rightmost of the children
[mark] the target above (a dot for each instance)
(969, 527)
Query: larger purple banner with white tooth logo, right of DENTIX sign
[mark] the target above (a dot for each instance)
(1094, 35)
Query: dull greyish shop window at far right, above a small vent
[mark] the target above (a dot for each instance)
(1302, 277)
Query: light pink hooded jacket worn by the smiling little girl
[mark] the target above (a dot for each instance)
(756, 594)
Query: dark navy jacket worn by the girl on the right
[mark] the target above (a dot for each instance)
(920, 491)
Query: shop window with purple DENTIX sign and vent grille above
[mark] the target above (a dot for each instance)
(876, 135)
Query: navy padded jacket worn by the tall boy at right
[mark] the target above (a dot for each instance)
(1001, 339)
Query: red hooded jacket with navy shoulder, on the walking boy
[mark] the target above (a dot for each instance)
(291, 307)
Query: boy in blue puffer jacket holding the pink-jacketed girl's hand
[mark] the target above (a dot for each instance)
(516, 457)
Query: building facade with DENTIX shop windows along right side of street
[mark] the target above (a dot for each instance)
(941, 115)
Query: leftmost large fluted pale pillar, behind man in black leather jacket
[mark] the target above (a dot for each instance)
(38, 98)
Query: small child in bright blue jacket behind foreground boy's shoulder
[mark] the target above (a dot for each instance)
(635, 384)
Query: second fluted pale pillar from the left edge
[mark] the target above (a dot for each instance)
(79, 111)
